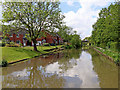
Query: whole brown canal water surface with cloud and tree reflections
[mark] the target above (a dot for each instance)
(65, 69)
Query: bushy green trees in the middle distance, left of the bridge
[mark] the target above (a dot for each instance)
(70, 36)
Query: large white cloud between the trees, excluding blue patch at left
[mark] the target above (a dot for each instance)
(85, 17)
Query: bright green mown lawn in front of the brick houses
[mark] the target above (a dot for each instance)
(11, 54)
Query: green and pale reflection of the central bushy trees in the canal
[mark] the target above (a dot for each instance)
(69, 59)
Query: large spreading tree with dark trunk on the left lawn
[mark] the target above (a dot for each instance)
(33, 17)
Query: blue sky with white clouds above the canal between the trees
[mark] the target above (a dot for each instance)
(81, 14)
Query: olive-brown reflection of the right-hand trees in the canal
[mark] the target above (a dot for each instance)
(106, 70)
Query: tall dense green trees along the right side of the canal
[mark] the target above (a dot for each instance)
(106, 30)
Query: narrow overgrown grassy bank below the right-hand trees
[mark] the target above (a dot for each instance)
(113, 54)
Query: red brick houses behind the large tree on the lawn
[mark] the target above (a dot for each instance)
(20, 38)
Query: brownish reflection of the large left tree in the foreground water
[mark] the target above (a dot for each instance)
(36, 78)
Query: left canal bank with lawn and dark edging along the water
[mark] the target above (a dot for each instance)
(17, 54)
